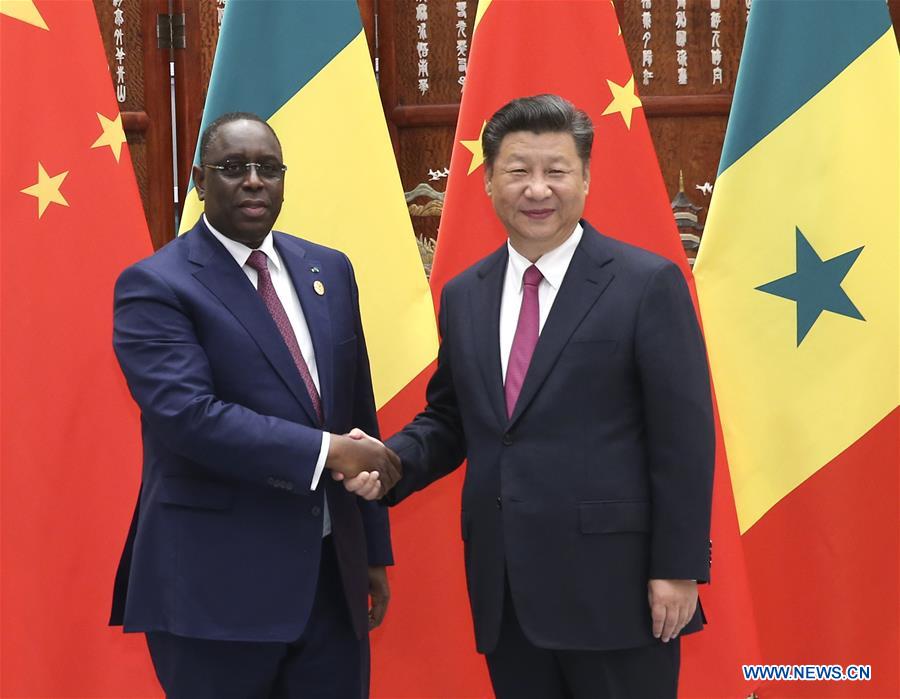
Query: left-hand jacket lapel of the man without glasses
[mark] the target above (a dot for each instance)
(484, 310)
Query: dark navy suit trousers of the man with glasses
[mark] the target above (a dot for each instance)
(326, 662)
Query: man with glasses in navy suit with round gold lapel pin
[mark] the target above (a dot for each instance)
(244, 350)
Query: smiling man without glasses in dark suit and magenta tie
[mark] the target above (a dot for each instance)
(572, 375)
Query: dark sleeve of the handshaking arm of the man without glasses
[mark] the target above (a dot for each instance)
(433, 444)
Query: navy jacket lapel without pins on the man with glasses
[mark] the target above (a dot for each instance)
(220, 274)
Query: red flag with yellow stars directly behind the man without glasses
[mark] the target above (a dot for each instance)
(574, 49)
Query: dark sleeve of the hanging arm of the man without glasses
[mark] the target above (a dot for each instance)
(680, 437)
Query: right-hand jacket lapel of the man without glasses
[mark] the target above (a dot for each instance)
(585, 280)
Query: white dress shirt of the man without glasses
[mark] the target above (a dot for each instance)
(553, 265)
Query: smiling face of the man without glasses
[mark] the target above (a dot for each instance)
(537, 184)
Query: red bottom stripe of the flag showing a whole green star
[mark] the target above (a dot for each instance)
(825, 570)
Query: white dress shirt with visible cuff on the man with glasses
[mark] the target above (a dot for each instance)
(287, 294)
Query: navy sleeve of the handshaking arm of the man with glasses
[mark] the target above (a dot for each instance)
(169, 376)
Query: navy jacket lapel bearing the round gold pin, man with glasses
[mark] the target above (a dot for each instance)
(318, 319)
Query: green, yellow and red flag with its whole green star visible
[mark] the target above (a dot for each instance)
(798, 282)
